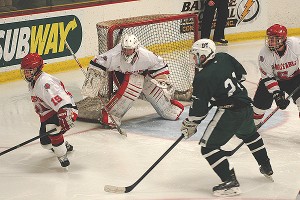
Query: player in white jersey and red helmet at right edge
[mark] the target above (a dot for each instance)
(279, 66)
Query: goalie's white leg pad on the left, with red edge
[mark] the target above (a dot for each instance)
(123, 100)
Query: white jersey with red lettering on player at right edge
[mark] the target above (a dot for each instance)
(273, 67)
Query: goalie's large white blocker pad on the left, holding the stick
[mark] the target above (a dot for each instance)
(95, 79)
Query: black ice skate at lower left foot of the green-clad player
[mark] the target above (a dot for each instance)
(227, 188)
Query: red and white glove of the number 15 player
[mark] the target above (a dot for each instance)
(67, 117)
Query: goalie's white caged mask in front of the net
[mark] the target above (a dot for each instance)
(130, 46)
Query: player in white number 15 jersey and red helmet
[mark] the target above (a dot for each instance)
(53, 103)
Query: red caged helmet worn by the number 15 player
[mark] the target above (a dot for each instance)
(31, 66)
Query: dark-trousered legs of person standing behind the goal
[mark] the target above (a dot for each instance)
(208, 15)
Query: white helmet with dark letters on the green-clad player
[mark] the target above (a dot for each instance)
(202, 51)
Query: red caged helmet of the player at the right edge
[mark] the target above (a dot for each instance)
(276, 37)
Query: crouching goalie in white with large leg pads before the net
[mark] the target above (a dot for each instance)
(136, 71)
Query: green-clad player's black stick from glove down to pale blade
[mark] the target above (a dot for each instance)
(115, 189)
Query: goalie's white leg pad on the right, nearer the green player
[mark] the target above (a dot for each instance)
(167, 109)
